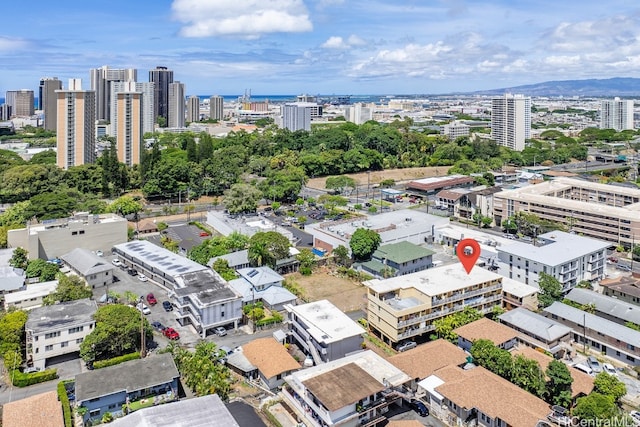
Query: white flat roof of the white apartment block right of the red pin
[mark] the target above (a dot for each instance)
(561, 247)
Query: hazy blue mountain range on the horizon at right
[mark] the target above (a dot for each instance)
(616, 86)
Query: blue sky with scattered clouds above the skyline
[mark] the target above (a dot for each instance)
(322, 46)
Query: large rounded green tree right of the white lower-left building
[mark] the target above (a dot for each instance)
(117, 332)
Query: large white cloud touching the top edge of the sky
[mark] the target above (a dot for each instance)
(240, 18)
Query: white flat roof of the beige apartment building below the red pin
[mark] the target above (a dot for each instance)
(435, 281)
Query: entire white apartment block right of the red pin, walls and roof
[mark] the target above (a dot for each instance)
(568, 257)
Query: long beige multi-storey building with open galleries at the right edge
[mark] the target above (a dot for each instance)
(600, 211)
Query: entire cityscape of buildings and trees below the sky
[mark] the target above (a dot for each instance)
(294, 263)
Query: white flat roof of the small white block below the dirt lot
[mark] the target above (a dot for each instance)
(325, 322)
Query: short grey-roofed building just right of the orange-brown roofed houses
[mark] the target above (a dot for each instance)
(538, 331)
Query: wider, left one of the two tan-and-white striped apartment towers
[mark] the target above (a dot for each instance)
(75, 131)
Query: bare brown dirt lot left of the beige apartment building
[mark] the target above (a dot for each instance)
(346, 294)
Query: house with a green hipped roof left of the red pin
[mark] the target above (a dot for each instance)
(398, 259)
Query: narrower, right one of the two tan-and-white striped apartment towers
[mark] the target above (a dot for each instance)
(128, 123)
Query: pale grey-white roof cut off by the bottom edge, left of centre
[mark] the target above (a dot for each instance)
(194, 412)
